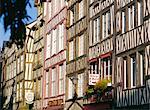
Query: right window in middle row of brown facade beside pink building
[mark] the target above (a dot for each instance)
(81, 45)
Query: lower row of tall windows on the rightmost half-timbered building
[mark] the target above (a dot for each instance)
(133, 76)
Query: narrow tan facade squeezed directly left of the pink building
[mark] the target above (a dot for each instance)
(38, 61)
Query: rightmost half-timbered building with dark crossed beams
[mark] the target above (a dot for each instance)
(132, 51)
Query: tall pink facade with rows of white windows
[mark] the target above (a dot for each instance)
(54, 55)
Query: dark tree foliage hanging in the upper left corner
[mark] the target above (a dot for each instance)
(14, 15)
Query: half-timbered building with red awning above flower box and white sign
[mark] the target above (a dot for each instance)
(100, 48)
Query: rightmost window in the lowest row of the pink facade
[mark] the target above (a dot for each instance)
(61, 79)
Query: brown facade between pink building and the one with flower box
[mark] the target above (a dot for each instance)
(77, 43)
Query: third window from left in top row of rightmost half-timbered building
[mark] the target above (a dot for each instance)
(140, 12)
